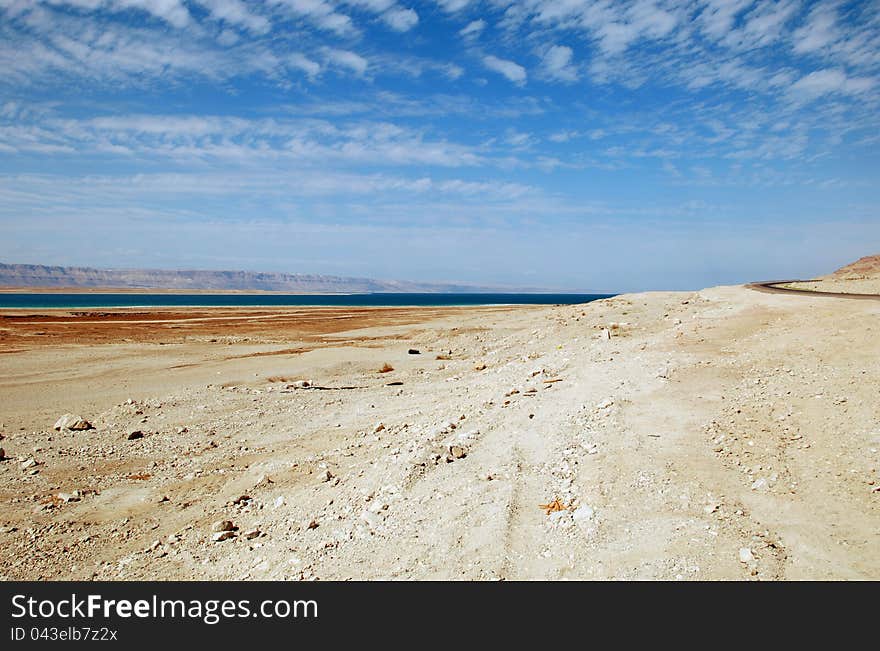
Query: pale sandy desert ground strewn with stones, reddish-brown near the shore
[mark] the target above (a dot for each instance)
(720, 434)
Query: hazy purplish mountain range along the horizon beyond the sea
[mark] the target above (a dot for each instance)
(28, 275)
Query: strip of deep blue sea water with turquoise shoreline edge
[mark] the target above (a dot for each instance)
(90, 300)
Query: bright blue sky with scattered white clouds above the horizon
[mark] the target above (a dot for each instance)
(572, 144)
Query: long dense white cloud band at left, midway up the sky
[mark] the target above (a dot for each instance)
(181, 139)
